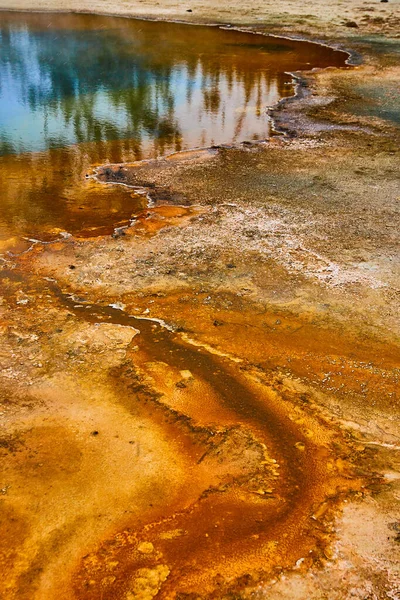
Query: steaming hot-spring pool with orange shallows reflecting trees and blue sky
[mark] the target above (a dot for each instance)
(78, 90)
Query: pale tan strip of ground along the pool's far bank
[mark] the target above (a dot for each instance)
(293, 16)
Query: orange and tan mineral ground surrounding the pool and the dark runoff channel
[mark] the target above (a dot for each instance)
(310, 307)
